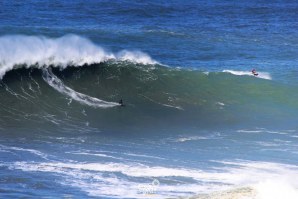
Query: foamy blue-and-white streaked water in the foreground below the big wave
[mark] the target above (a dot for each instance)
(126, 171)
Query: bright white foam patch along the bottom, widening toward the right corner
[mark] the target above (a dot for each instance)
(269, 180)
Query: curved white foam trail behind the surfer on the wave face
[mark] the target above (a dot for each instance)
(58, 85)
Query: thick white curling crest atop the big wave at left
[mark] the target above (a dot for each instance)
(40, 52)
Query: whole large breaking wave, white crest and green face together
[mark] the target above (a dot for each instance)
(151, 91)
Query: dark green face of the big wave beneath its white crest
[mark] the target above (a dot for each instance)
(152, 94)
